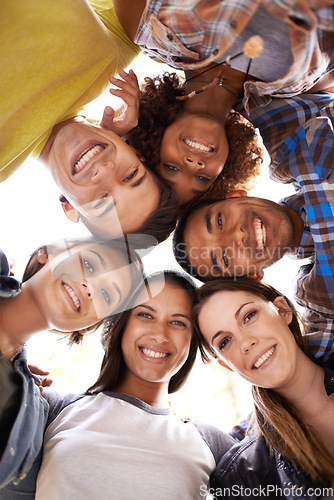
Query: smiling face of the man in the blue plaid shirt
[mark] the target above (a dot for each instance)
(237, 236)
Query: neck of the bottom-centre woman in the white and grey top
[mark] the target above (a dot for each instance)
(152, 393)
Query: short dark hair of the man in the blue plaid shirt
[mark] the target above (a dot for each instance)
(179, 245)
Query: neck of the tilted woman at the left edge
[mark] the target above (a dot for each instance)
(20, 319)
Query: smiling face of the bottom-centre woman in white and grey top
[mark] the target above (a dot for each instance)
(156, 340)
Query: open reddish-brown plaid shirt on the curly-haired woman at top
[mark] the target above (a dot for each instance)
(189, 34)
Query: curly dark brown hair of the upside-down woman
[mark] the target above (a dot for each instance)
(159, 108)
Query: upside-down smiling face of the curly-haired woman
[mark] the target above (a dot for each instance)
(193, 152)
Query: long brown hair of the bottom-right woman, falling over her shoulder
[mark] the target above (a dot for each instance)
(278, 420)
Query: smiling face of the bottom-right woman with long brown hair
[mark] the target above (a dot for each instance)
(252, 337)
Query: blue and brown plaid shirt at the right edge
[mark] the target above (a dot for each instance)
(298, 134)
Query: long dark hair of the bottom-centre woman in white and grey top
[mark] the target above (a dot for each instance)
(113, 364)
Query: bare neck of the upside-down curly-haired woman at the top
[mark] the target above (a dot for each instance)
(215, 101)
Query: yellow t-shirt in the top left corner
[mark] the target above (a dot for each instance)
(56, 56)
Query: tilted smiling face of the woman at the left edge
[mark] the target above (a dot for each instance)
(77, 288)
